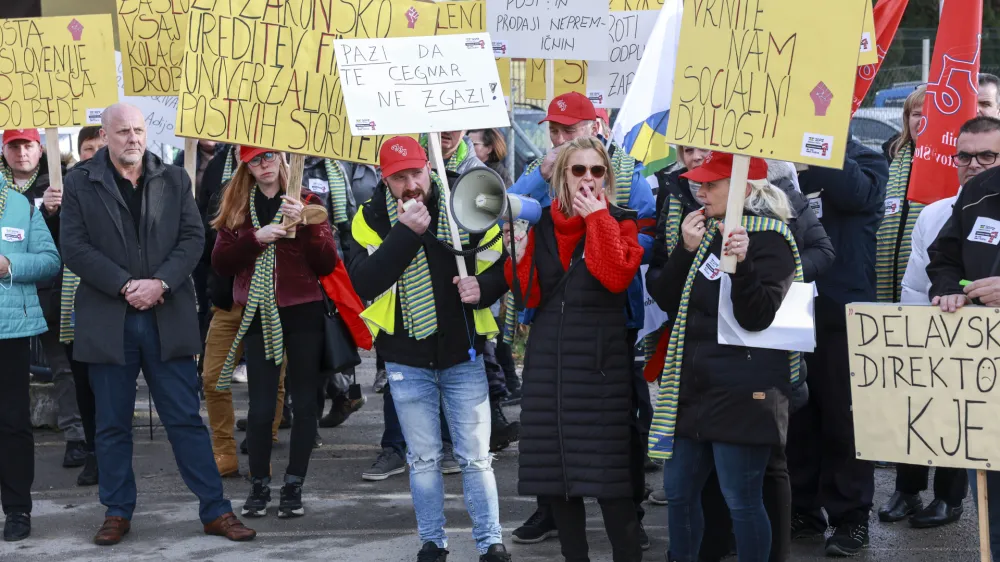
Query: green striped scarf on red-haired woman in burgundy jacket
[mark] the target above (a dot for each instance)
(262, 298)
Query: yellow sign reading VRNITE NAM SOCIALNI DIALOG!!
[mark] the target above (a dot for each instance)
(774, 79)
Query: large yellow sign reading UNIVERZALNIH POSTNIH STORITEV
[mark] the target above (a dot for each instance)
(262, 73)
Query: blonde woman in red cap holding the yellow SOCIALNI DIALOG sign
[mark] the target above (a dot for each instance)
(724, 406)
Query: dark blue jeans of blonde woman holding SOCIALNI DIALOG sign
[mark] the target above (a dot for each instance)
(741, 476)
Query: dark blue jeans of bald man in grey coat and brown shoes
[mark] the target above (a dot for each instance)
(174, 388)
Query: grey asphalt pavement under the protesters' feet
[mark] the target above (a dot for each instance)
(349, 519)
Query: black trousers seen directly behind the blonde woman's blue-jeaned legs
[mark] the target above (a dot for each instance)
(717, 540)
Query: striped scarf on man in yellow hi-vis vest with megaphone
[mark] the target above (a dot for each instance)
(416, 291)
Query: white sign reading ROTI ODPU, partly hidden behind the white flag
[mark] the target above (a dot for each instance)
(608, 82)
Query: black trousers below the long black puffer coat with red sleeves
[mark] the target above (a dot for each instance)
(619, 522)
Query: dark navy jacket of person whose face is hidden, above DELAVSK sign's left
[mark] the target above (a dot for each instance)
(851, 206)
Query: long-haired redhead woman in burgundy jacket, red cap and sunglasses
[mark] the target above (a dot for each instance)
(277, 283)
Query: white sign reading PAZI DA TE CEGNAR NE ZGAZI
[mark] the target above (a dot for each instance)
(420, 84)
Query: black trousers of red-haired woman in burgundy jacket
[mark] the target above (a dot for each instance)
(304, 352)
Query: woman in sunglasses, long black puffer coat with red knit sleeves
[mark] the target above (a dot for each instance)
(577, 435)
